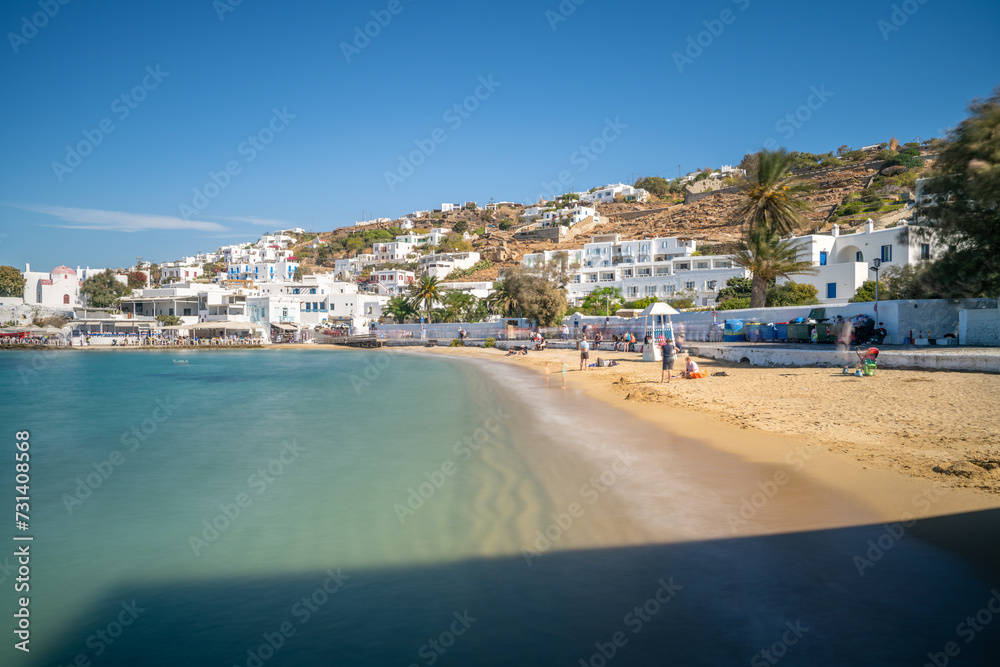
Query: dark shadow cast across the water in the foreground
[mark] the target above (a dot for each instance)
(799, 596)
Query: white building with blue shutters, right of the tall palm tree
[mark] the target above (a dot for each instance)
(845, 261)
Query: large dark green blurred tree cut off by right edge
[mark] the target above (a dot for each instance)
(966, 219)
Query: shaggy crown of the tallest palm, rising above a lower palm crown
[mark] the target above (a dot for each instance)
(772, 200)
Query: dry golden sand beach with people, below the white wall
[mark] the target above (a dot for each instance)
(881, 439)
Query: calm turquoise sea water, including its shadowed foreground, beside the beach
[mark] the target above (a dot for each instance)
(317, 508)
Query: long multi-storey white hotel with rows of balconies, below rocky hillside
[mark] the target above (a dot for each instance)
(662, 267)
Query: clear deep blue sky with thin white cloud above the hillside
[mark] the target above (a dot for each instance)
(301, 130)
